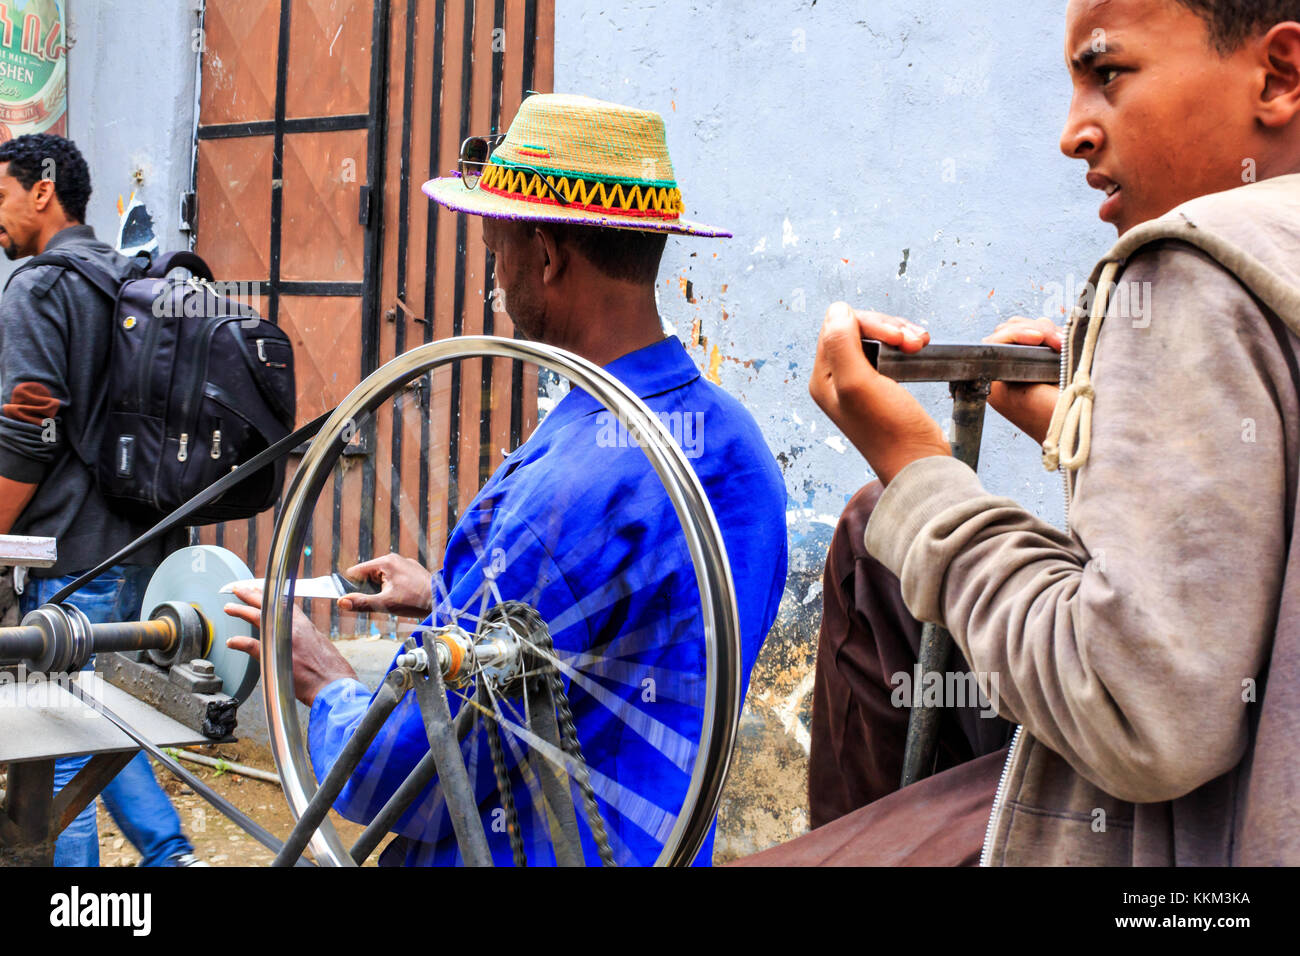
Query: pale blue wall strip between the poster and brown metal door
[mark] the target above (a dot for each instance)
(131, 109)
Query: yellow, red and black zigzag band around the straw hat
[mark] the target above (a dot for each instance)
(627, 198)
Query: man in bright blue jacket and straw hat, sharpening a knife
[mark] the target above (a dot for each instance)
(575, 524)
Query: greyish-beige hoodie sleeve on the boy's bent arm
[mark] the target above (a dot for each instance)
(1124, 646)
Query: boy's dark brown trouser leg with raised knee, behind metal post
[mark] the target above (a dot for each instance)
(868, 635)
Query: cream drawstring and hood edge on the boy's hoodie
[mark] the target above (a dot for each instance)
(1069, 436)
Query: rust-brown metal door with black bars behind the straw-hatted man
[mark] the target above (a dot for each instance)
(319, 123)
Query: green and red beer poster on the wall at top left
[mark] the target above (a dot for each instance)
(33, 68)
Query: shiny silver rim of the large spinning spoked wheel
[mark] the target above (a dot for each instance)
(695, 517)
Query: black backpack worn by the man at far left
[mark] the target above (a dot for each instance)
(197, 383)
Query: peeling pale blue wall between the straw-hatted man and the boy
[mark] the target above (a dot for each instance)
(899, 155)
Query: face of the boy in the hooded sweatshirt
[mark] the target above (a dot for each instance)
(1159, 115)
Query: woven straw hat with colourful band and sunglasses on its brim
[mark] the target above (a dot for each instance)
(609, 162)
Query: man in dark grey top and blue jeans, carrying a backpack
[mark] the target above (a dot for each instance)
(55, 331)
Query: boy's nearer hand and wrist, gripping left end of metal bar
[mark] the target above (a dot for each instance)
(877, 414)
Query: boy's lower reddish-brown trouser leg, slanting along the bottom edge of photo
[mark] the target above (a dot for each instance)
(939, 821)
